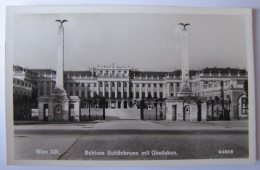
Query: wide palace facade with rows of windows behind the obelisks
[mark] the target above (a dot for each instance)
(121, 86)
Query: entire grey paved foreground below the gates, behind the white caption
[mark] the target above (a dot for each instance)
(187, 140)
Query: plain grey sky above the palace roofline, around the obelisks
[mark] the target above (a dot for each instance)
(150, 42)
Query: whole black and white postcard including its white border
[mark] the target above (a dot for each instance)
(129, 86)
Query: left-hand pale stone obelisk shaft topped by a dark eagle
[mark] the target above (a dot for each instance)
(60, 58)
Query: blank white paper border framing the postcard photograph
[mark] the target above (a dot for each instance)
(12, 11)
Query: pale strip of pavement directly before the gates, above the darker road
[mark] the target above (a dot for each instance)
(102, 126)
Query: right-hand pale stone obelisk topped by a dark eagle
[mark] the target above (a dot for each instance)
(185, 83)
